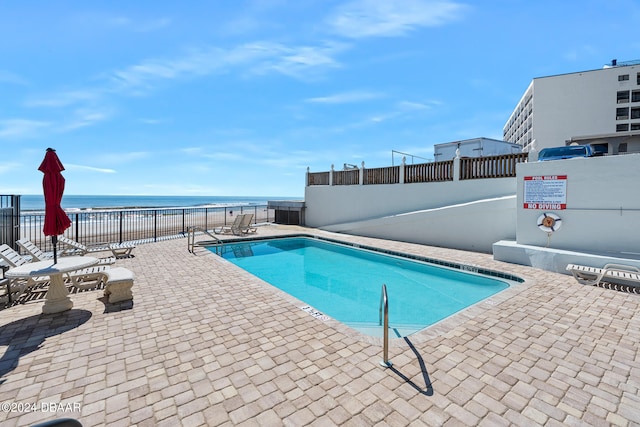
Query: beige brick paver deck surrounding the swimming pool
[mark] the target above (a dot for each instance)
(206, 343)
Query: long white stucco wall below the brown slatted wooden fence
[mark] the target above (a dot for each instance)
(469, 214)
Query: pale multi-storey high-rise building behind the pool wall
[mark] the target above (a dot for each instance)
(600, 107)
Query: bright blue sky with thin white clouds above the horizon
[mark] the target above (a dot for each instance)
(238, 98)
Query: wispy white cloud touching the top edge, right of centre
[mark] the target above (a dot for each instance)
(374, 18)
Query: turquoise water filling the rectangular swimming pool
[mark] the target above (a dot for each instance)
(345, 282)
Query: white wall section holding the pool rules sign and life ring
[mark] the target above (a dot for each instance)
(603, 205)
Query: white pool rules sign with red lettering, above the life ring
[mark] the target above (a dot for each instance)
(545, 192)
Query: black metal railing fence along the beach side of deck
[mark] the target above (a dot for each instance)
(137, 225)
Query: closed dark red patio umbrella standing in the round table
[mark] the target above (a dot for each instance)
(55, 219)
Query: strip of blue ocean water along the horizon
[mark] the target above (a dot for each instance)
(74, 202)
